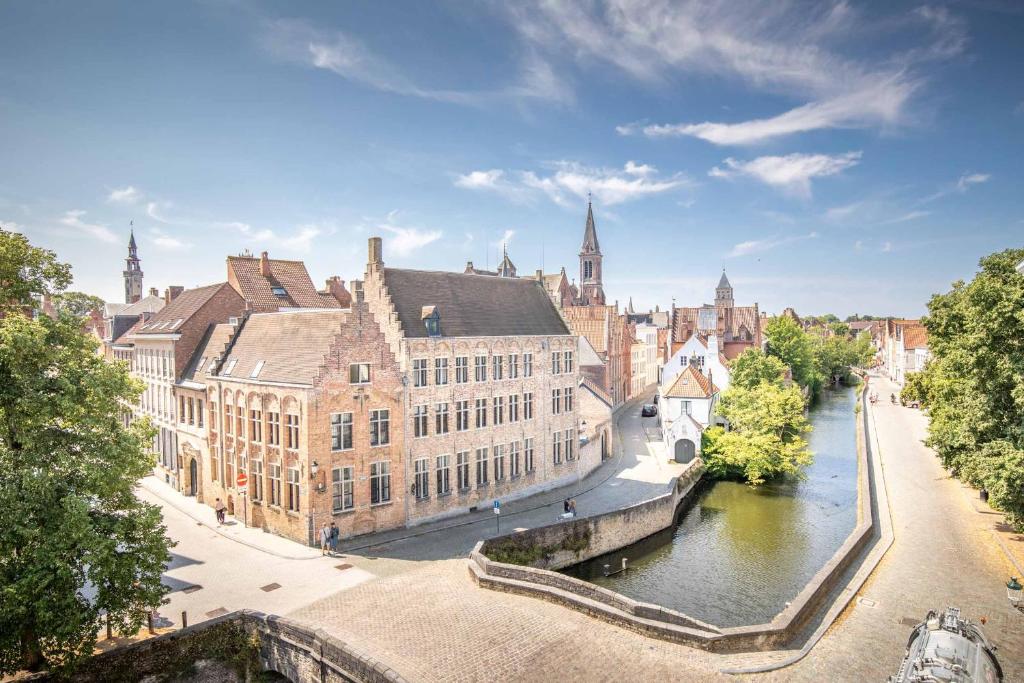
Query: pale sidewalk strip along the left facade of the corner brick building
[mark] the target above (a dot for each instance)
(162, 494)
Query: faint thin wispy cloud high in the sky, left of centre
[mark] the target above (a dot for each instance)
(345, 56)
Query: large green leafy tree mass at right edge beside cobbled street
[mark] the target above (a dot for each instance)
(974, 386)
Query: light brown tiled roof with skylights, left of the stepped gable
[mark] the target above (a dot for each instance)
(291, 345)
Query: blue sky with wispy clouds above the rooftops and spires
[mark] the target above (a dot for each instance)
(843, 158)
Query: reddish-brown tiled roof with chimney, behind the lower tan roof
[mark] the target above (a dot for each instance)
(292, 276)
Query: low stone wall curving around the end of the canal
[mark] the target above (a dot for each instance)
(563, 545)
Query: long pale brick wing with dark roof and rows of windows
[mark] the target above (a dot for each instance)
(492, 385)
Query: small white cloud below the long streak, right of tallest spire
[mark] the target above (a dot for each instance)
(792, 174)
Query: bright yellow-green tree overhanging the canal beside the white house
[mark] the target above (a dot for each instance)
(765, 438)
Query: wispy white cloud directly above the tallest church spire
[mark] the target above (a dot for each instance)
(569, 180)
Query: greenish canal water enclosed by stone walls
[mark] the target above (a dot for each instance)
(739, 554)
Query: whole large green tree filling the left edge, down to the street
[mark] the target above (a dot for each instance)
(76, 545)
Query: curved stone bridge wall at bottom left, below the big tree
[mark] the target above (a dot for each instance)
(245, 643)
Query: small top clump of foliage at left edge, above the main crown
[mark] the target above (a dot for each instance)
(27, 273)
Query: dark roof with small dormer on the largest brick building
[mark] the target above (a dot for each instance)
(473, 306)
